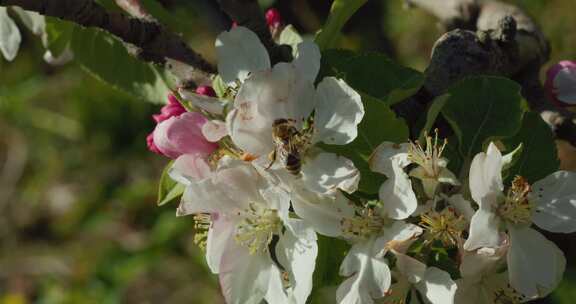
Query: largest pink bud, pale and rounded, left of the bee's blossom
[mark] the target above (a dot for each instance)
(182, 134)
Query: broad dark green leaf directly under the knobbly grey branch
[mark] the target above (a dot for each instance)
(483, 108)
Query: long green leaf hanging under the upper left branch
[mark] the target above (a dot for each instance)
(107, 59)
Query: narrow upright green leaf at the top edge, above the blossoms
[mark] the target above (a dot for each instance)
(341, 11)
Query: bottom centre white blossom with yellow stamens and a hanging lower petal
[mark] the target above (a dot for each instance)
(368, 273)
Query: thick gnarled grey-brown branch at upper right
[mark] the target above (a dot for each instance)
(489, 38)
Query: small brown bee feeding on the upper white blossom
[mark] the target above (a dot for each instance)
(289, 143)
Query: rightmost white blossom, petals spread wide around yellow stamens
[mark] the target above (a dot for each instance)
(535, 265)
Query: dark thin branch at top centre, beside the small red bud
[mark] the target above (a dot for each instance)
(247, 13)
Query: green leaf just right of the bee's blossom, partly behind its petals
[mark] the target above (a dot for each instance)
(378, 125)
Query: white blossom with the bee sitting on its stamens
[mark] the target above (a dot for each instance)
(278, 116)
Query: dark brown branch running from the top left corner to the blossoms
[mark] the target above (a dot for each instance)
(154, 42)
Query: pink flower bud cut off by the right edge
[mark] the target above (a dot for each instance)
(561, 83)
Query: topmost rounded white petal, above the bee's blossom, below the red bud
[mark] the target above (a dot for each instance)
(240, 52)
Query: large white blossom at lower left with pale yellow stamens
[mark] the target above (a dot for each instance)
(246, 215)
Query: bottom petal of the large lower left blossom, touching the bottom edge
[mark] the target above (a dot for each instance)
(244, 278)
